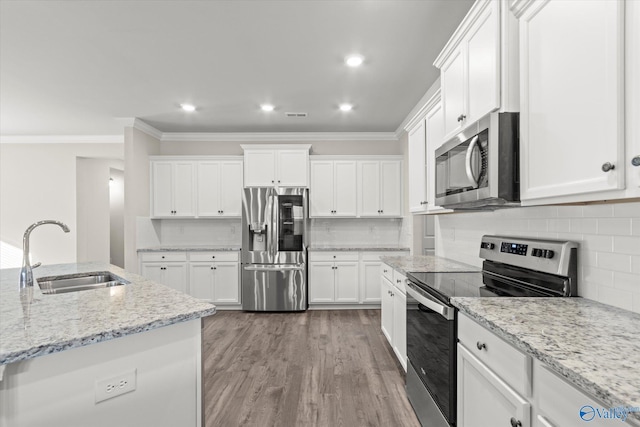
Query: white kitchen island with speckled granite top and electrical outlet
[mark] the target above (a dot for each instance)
(124, 355)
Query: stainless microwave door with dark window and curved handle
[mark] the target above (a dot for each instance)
(464, 167)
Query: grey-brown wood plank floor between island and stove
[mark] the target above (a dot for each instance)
(317, 368)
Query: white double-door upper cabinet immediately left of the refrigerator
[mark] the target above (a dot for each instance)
(219, 188)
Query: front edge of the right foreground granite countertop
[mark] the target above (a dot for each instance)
(570, 375)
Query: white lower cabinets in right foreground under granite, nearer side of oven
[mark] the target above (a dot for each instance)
(498, 385)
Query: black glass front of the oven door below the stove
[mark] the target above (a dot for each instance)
(431, 349)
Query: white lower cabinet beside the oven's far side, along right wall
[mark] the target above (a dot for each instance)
(394, 311)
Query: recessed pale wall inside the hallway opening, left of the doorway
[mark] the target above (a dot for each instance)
(92, 207)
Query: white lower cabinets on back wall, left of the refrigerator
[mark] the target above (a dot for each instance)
(211, 276)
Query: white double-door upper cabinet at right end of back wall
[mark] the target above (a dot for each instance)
(380, 188)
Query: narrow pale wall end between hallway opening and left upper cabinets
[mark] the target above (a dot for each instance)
(138, 146)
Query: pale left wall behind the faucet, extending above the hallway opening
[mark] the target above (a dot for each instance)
(38, 181)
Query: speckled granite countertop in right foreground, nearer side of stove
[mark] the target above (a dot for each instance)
(594, 346)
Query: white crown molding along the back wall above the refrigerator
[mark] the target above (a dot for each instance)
(278, 136)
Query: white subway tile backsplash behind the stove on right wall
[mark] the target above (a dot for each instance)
(608, 234)
